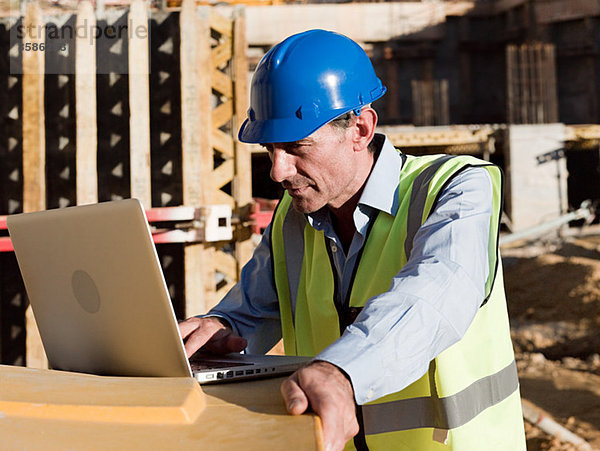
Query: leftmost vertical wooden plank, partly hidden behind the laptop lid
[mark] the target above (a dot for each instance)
(34, 152)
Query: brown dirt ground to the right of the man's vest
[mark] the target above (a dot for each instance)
(553, 292)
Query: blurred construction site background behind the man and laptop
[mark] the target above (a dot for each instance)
(105, 100)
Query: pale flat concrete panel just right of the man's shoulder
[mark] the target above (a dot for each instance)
(536, 188)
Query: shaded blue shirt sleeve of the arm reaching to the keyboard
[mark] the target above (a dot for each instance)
(251, 306)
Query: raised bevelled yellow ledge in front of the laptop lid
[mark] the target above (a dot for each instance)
(75, 397)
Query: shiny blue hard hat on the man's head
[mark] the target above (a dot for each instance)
(306, 81)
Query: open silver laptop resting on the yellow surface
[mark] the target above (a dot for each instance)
(101, 303)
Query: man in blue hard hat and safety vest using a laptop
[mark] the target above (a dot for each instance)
(381, 265)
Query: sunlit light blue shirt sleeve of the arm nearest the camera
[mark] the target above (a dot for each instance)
(432, 300)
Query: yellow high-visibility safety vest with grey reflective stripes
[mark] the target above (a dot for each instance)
(469, 398)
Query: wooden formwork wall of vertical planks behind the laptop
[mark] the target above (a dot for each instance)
(162, 129)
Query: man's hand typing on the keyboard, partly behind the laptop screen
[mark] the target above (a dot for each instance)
(210, 333)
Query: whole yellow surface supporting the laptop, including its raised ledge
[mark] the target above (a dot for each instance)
(45, 409)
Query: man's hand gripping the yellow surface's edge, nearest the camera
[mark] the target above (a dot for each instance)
(325, 388)
